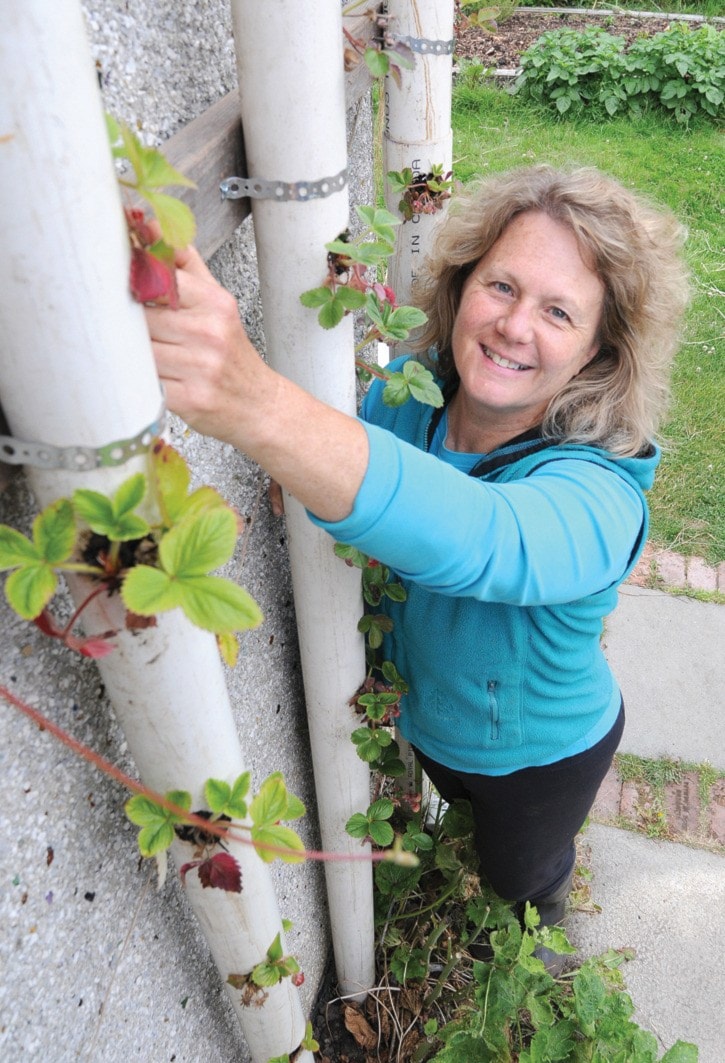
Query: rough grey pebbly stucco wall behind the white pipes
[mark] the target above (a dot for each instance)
(96, 964)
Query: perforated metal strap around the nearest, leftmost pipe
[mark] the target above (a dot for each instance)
(80, 459)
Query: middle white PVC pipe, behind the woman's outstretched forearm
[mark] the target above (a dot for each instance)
(292, 90)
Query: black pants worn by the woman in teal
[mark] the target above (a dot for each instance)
(527, 822)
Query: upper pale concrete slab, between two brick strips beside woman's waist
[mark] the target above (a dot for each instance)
(668, 653)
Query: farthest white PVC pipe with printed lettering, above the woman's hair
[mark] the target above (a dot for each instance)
(417, 123)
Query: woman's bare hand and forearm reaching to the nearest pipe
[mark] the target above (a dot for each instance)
(216, 381)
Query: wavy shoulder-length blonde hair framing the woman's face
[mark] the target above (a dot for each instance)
(619, 400)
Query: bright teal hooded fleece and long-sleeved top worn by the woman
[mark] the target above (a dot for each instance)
(510, 571)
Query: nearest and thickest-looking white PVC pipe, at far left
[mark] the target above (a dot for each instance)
(78, 369)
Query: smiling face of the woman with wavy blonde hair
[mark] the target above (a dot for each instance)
(527, 325)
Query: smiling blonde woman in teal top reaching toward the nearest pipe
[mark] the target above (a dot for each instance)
(513, 515)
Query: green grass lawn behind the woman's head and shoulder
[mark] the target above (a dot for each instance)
(684, 170)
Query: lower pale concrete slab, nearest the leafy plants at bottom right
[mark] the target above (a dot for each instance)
(667, 902)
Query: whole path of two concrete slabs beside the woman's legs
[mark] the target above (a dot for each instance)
(666, 899)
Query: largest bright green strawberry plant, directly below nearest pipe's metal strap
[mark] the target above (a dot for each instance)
(157, 564)
